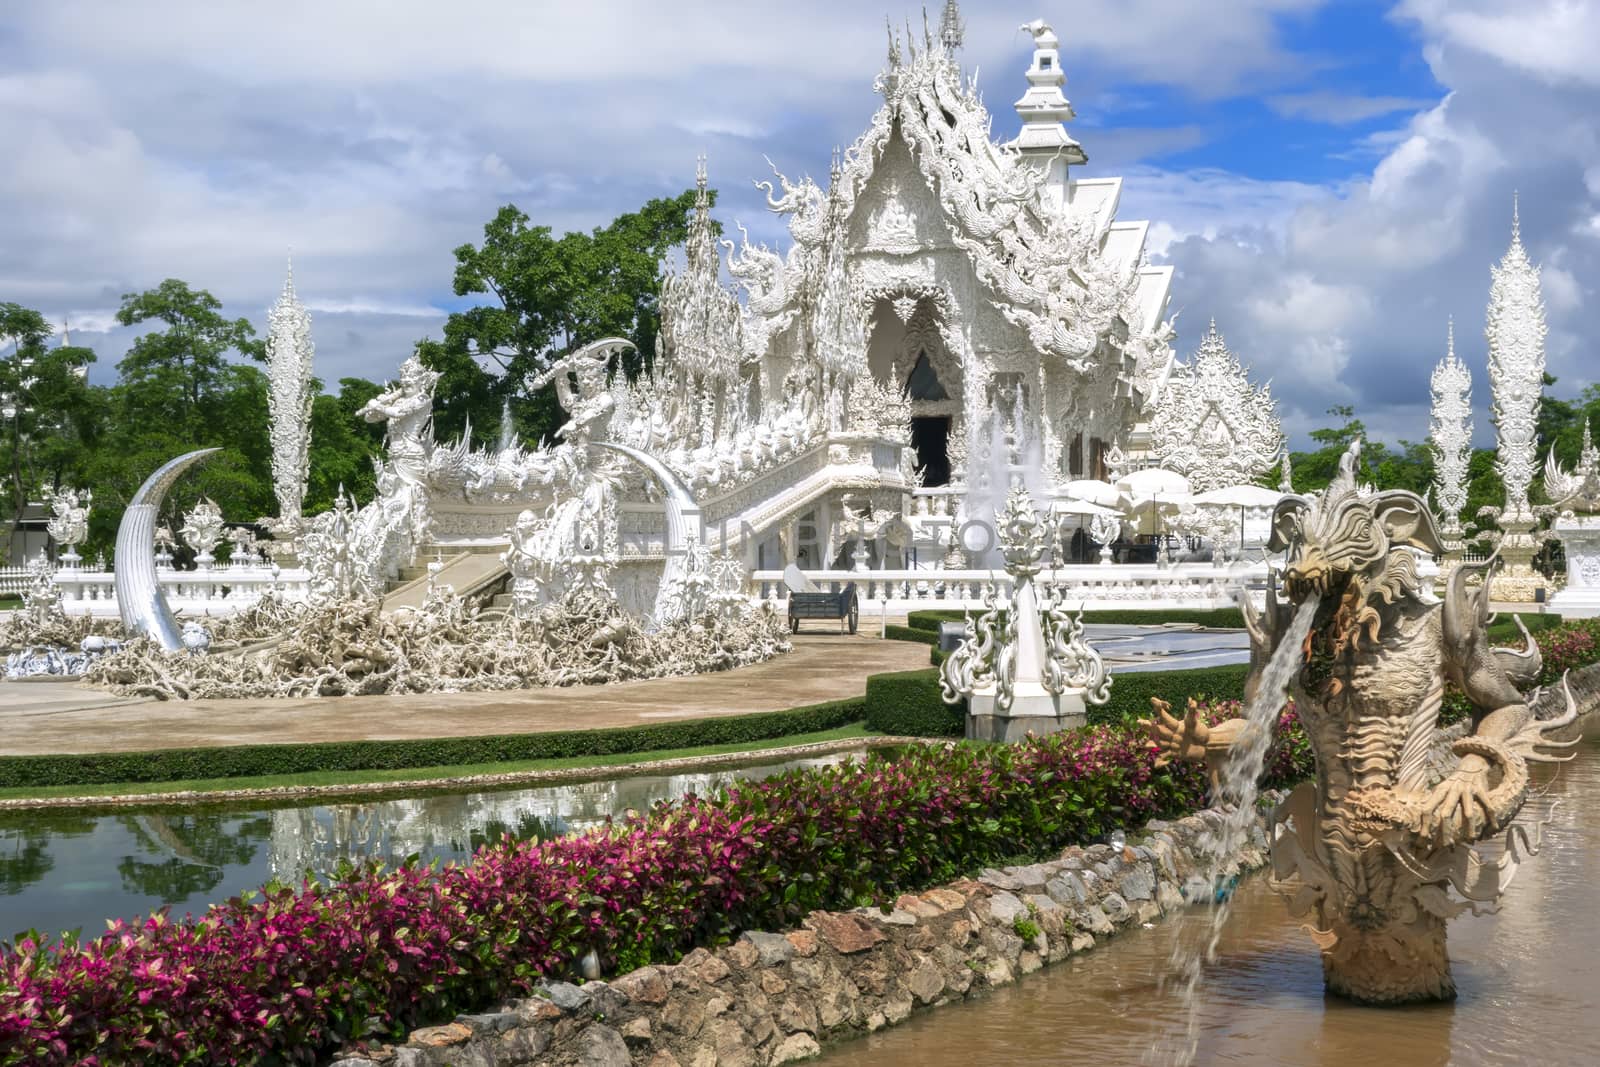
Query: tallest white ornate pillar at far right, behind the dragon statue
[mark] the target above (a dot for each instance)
(1516, 334)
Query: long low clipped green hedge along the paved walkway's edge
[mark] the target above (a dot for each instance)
(103, 769)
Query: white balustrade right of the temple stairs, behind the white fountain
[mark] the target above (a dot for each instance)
(1095, 588)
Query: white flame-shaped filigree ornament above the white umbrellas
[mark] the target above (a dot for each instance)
(1212, 425)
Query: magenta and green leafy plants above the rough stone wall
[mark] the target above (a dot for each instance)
(290, 975)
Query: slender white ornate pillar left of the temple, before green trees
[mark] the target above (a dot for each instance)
(289, 402)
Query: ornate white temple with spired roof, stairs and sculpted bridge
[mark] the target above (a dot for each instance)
(953, 316)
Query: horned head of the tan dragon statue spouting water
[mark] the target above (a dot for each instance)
(1353, 548)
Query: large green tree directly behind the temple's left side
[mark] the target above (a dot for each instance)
(550, 295)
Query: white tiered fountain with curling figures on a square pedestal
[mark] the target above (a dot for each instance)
(1023, 666)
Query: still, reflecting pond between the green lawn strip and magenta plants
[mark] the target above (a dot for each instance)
(74, 869)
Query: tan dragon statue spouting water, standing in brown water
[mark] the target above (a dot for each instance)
(1374, 847)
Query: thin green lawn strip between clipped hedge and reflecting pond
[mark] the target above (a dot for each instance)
(420, 773)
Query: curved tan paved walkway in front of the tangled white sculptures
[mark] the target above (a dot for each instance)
(41, 717)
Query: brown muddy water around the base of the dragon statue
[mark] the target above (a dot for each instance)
(1529, 981)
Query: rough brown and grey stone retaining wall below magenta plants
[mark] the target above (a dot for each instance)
(775, 999)
